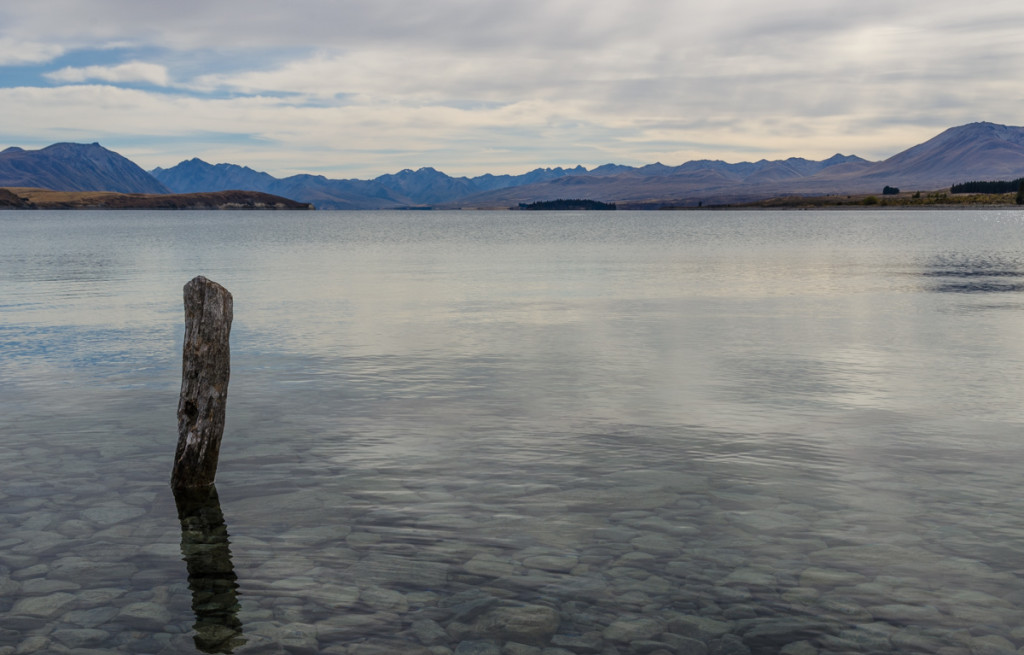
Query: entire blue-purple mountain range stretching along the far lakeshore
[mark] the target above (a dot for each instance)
(968, 153)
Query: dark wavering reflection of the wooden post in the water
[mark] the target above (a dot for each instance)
(211, 575)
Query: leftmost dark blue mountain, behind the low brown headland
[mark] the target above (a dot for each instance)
(75, 167)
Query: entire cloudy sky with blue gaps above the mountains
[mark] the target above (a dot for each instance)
(359, 89)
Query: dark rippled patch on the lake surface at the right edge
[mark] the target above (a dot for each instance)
(960, 274)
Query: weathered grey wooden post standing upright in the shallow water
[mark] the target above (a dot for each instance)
(205, 370)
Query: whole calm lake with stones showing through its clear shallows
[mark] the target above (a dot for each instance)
(518, 433)
